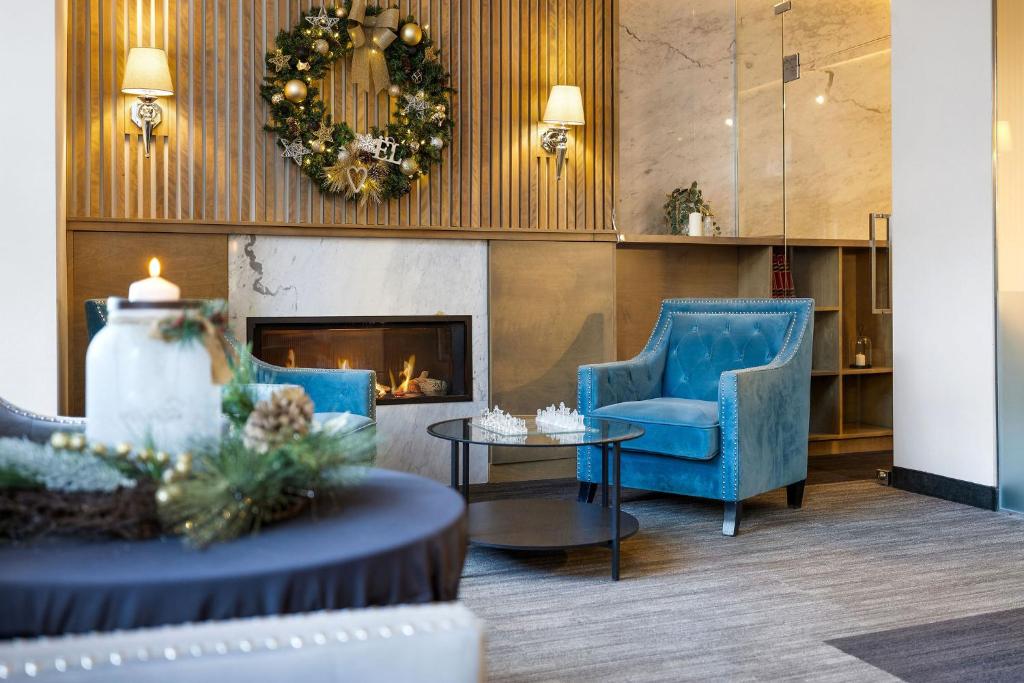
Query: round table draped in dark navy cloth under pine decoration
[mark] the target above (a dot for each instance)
(394, 539)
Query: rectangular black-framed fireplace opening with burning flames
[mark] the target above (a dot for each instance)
(418, 359)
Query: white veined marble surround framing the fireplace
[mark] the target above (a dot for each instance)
(297, 276)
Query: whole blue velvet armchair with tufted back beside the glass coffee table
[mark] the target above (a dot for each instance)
(723, 391)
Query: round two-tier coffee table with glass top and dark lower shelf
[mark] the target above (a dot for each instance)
(541, 525)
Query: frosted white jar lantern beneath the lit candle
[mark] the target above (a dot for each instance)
(147, 392)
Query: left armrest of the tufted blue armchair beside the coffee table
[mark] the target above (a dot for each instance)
(610, 383)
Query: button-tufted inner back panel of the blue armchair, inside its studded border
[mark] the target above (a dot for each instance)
(702, 347)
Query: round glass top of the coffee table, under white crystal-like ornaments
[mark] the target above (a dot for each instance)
(598, 432)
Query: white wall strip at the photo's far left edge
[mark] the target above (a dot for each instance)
(29, 205)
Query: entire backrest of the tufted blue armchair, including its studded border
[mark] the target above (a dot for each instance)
(703, 338)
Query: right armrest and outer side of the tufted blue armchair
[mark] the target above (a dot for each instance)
(765, 417)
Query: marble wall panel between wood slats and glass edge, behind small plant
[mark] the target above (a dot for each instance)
(675, 94)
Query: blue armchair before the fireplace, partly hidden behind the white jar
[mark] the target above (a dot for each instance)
(331, 391)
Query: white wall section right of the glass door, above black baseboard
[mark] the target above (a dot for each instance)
(944, 226)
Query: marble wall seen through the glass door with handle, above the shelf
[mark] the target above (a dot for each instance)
(838, 120)
